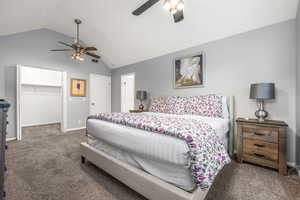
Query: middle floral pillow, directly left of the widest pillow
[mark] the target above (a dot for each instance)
(175, 105)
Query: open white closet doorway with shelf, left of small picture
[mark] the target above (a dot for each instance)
(40, 98)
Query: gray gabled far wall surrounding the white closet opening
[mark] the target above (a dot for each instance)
(32, 49)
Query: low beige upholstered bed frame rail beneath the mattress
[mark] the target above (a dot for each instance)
(147, 185)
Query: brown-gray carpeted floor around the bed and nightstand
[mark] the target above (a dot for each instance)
(45, 165)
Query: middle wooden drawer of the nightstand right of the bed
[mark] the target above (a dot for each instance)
(261, 149)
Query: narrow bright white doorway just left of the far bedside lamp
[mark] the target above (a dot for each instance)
(127, 92)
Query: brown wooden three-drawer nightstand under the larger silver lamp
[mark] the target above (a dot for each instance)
(262, 143)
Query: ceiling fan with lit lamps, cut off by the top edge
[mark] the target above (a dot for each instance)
(174, 6)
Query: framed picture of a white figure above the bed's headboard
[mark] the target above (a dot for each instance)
(189, 71)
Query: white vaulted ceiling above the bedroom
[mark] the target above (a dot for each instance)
(125, 39)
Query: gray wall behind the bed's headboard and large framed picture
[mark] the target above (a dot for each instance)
(232, 64)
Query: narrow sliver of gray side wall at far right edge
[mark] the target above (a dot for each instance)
(298, 84)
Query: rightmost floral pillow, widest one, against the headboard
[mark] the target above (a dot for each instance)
(207, 106)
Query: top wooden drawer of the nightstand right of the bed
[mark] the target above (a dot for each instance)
(267, 134)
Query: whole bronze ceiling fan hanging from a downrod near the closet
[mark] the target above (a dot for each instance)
(77, 48)
